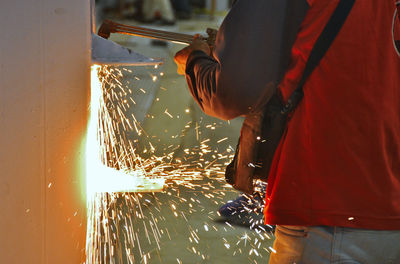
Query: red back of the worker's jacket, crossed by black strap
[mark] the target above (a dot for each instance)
(339, 163)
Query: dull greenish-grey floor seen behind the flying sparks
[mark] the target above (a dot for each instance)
(181, 223)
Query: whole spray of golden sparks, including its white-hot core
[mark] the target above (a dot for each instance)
(129, 211)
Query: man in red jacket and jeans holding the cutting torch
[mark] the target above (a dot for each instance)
(334, 186)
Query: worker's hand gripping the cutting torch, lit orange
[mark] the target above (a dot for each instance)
(181, 56)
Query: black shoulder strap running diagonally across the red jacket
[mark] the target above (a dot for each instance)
(321, 46)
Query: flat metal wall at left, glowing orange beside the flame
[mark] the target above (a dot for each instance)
(44, 97)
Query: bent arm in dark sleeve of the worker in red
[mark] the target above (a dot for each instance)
(251, 54)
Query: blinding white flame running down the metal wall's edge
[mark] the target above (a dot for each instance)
(106, 184)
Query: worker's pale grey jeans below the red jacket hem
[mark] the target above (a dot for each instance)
(334, 245)
